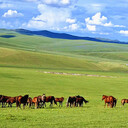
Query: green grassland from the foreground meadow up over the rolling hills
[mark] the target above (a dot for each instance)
(23, 60)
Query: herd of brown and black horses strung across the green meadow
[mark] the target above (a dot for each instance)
(40, 101)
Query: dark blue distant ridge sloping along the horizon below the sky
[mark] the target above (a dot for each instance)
(65, 36)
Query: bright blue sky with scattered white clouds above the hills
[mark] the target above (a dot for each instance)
(93, 18)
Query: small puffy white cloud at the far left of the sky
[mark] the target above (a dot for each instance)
(11, 13)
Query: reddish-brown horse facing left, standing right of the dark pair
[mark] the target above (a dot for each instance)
(109, 100)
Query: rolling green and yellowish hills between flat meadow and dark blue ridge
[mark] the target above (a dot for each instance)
(33, 51)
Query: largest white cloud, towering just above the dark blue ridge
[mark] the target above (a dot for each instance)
(50, 18)
